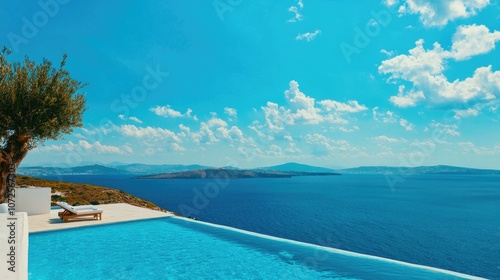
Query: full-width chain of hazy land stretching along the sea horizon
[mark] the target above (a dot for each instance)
(278, 171)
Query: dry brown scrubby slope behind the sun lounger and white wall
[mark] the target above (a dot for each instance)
(84, 194)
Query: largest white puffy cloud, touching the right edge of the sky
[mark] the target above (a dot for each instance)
(424, 69)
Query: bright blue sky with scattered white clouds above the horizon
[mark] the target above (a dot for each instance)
(250, 83)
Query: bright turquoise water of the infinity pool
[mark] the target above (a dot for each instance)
(175, 248)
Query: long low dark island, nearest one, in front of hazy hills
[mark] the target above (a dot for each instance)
(226, 173)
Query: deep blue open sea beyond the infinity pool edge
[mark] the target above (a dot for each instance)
(446, 221)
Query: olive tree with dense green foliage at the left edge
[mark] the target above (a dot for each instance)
(37, 102)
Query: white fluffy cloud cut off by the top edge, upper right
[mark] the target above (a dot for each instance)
(437, 13)
